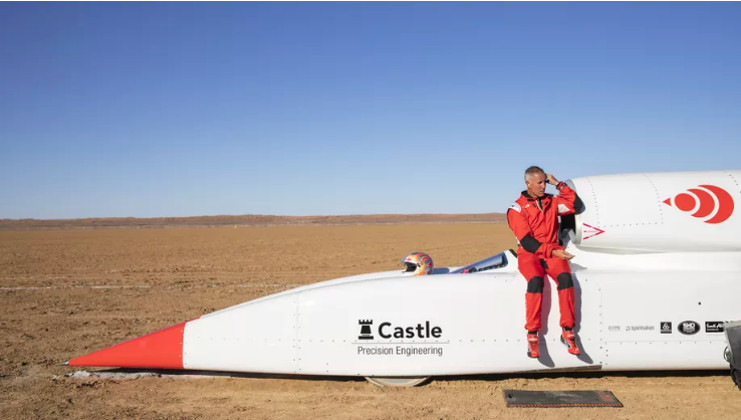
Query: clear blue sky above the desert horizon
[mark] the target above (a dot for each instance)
(185, 109)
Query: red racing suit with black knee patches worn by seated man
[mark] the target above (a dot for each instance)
(535, 224)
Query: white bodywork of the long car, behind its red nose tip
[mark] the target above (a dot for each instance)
(654, 283)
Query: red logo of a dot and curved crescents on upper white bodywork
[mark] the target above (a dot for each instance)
(705, 201)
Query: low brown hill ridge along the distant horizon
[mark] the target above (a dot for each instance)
(245, 220)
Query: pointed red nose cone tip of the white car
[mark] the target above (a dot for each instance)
(161, 349)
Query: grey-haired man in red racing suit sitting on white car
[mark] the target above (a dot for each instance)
(534, 220)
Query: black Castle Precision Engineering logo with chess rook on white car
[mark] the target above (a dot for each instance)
(389, 339)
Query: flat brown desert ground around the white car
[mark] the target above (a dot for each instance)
(67, 292)
